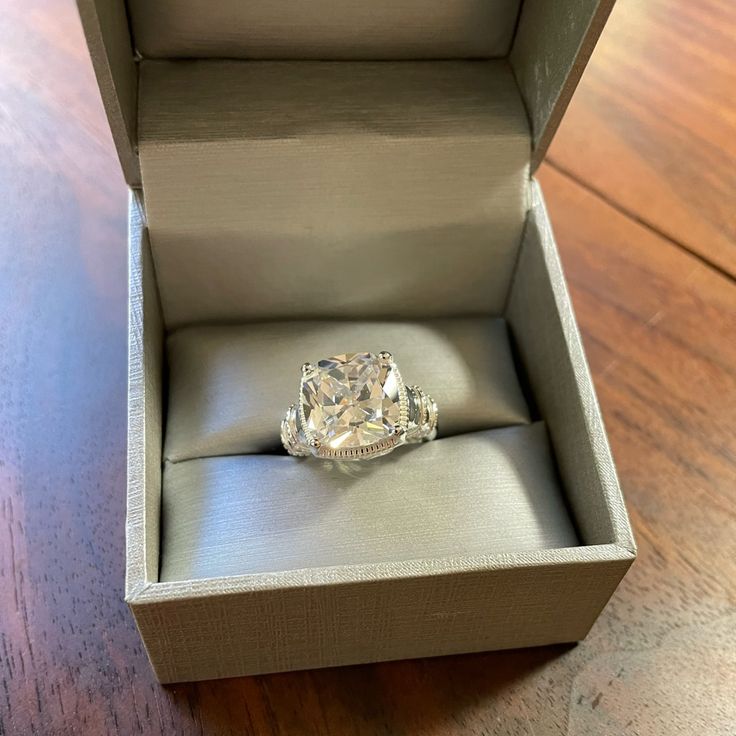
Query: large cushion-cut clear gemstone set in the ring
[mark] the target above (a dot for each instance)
(351, 400)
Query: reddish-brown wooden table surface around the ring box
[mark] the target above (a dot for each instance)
(641, 183)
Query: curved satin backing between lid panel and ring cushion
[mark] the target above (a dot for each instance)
(282, 190)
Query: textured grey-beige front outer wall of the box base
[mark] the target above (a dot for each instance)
(229, 627)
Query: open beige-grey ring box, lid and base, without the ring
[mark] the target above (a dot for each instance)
(313, 178)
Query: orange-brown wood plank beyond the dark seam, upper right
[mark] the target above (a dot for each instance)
(652, 127)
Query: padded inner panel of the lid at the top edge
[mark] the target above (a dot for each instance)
(324, 29)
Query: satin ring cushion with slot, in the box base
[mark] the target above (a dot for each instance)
(233, 504)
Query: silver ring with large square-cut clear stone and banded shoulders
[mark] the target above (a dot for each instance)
(355, 406)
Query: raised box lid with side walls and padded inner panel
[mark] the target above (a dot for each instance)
(547, 44)
